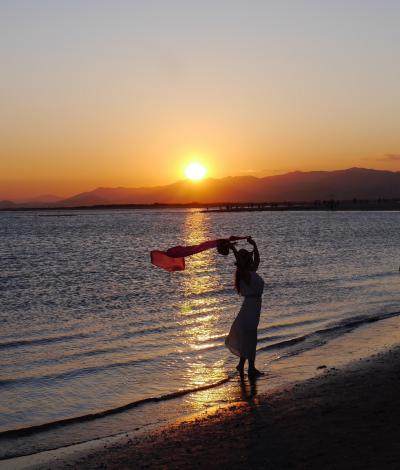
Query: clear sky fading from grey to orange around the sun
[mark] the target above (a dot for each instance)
(126, 93)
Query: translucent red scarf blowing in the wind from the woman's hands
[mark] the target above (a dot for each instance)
(174, 258)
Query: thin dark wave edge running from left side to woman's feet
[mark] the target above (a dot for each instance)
(101, 414)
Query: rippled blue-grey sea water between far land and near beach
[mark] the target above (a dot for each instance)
(87, 324)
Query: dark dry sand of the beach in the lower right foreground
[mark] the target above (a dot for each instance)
(343, 419)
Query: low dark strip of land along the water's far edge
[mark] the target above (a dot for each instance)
(325, 205)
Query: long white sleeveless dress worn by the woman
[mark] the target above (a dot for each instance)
(242, 338)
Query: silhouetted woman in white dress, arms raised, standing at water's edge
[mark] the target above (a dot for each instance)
(242, 338)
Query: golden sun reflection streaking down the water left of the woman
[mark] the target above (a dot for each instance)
(200, 316)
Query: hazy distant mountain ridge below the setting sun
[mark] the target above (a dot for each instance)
(347, 184)
